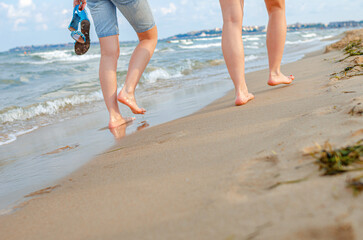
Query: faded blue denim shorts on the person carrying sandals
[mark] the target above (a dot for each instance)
(137, 13)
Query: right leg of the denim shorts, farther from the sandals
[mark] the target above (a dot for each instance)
(137, 13)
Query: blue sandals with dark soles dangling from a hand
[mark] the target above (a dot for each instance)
(81, 37)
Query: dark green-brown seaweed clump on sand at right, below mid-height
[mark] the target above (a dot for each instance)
(338, 161)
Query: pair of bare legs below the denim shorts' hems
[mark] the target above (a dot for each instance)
(110, 50)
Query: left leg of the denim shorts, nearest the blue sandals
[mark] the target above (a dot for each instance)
(104, 17)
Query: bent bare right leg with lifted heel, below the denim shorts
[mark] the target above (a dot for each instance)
(138, 62)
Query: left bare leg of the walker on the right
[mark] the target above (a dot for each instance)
(232, 47)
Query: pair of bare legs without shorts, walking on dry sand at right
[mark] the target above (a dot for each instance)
(232, 44)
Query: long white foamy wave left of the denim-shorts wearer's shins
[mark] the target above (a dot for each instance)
(46, 108)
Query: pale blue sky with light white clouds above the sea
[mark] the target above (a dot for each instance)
(38, 22)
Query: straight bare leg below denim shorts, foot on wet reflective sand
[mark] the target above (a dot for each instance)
(110, 50)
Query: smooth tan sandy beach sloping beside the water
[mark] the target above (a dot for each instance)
(217, 173)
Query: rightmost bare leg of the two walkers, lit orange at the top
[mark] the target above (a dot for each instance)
(276, 36)
